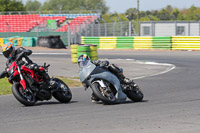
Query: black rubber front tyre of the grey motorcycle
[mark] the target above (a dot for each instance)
(98, 94)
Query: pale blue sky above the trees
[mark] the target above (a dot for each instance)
(120, 6)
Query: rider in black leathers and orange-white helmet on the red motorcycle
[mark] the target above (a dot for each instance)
(21, 55)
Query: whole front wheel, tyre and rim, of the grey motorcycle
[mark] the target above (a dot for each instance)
(105, 94)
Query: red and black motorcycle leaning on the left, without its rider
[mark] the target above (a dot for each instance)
(28, 86)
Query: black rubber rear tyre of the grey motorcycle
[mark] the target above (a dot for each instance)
(136, 97)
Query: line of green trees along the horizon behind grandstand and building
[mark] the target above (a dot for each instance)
(166, 13)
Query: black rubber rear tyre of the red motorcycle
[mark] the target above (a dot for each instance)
(58, 95)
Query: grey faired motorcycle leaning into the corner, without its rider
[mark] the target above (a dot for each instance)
(106, 86)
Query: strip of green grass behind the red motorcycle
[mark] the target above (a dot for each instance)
(5, 86)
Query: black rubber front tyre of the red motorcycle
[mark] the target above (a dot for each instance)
(19, 97)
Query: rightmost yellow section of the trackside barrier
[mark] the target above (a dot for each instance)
(185, 42)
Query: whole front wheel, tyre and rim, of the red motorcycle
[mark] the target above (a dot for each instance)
(25, 97)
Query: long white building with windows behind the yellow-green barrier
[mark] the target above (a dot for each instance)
(170, 28)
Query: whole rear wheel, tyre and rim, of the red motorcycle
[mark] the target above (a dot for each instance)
(63, 93)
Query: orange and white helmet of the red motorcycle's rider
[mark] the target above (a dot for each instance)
(8, 50)
